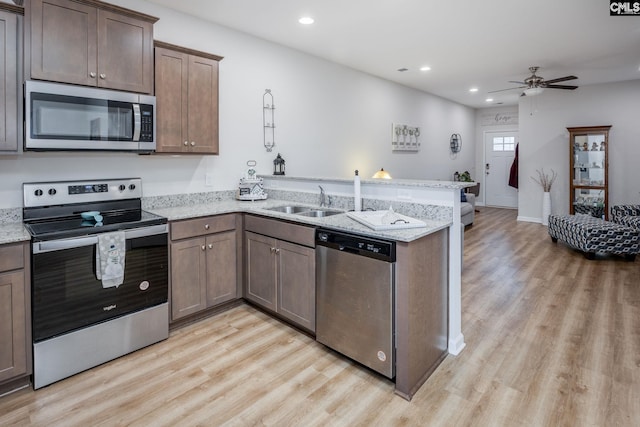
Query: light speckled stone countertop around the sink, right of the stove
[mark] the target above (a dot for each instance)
(340, 222)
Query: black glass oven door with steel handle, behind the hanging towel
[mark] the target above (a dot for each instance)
(67, 294)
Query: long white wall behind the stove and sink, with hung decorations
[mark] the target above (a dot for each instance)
(330, 120)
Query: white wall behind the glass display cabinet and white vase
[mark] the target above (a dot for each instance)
(544, 142)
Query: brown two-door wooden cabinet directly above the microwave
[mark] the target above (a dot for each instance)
(89, 43)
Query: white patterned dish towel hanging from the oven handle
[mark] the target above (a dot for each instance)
(110, 253)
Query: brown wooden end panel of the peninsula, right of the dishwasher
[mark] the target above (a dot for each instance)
(421, 310)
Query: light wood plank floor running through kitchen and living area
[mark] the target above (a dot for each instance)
(552, 339)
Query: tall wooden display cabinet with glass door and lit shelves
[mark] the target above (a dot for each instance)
(589, 190)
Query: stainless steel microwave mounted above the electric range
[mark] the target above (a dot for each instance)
(67, 117)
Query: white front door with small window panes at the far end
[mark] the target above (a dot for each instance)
(499, 155)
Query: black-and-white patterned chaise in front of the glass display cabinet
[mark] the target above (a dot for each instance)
(591, 235)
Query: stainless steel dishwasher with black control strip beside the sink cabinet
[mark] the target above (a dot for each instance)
(355, 298)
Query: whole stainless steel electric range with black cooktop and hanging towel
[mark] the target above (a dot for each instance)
(99, 274)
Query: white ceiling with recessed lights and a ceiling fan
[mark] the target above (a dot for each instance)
(481, 43)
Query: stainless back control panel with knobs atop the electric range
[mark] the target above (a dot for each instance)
(66, 192)
